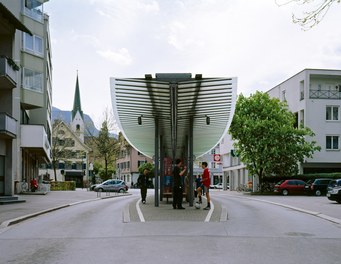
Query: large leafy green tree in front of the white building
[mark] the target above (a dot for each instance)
(266, 139)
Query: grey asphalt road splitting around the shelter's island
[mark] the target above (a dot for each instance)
(254, 232)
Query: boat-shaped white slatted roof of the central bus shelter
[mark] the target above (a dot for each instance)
(174, 101)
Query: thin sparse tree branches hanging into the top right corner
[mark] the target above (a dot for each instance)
(312, 17)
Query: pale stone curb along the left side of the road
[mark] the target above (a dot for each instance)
(25, 217)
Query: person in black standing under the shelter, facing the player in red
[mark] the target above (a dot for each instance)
(177, 184)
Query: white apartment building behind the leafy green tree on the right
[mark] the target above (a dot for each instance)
(314, 96)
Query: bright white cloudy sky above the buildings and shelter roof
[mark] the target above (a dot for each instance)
(255, 41)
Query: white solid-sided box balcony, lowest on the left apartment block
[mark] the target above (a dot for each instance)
(34, 138)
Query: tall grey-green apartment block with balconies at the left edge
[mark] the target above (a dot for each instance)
(26, 101)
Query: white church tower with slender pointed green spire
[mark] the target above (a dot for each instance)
(77, 118)
